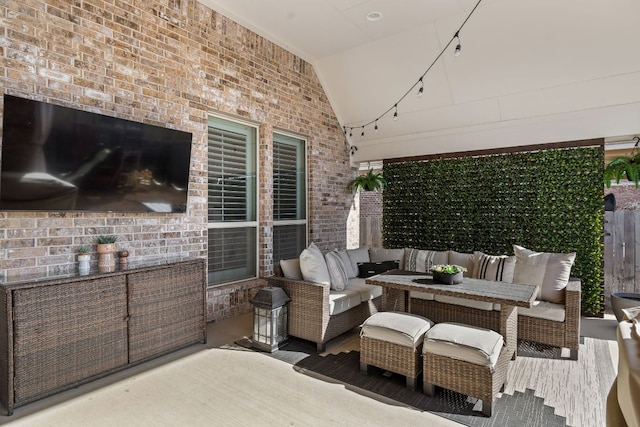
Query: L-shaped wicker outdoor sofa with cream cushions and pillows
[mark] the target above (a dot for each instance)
(327, 304)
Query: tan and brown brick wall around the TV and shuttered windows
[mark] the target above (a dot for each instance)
(167, 63)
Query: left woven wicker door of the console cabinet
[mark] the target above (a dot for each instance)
(67, 333)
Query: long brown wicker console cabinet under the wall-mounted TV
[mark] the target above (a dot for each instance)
(57, 333)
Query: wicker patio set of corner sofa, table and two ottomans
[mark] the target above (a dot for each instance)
(505, 297)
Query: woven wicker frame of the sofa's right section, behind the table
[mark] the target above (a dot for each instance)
(558, 334)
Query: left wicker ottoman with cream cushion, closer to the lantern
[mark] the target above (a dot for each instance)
(393, 341)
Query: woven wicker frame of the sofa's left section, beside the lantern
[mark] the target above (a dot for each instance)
(309, 317)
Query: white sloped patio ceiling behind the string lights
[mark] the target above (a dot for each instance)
(530, 72)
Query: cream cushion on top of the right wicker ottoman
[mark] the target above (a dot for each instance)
(462, 342)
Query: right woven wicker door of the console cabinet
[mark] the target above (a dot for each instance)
(166, 309)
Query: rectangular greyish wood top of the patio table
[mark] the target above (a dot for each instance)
(515, 294)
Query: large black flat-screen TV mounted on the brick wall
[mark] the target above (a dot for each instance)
(56, 158)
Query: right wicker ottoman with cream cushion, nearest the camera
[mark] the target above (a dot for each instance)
(465, 359)
